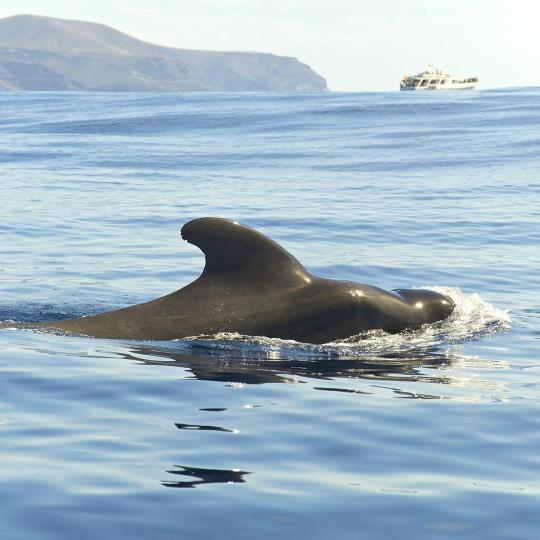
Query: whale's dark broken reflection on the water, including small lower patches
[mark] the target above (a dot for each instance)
(256, 366)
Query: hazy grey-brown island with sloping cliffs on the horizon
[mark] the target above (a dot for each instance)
(44, 53)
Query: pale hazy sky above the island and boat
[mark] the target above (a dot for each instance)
(354, 44)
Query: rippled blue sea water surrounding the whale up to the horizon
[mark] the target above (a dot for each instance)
(429, 435)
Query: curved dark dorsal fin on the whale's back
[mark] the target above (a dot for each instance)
(234, 249)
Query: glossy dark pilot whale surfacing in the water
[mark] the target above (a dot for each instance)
(252, 286)
